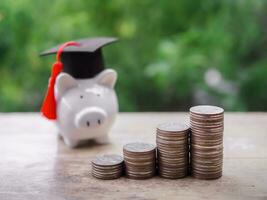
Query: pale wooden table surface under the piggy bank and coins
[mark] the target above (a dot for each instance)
(34, 164)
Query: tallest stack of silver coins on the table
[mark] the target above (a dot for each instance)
(206, 141)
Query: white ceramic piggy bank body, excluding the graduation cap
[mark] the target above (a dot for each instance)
(86, 108)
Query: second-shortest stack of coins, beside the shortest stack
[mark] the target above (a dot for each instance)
(140, 160)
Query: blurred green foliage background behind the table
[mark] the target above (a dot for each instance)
(172, 54)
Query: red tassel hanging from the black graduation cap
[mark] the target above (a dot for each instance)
(49, 107)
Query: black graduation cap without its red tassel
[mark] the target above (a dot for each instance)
(84, 61)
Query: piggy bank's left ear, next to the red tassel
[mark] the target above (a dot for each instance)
(64, 82)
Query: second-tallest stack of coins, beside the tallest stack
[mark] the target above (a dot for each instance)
(173, 150)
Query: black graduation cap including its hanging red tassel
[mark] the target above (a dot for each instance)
(81, 59)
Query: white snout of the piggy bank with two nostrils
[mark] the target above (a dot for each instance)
(90, 117)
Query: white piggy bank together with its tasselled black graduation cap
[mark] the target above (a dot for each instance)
(83, 91)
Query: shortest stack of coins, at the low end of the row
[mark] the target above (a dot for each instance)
(107, 166)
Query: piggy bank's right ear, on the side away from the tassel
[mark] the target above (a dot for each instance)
(107, 78)
